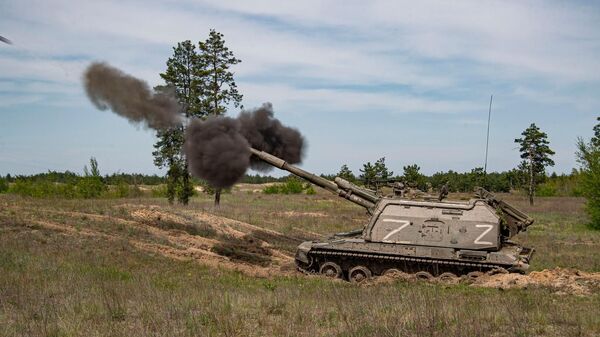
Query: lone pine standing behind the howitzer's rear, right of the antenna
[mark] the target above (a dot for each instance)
(535, 153)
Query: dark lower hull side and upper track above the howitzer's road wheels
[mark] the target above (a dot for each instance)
(379, 263)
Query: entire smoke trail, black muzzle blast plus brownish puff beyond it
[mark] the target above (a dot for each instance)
(217, 148)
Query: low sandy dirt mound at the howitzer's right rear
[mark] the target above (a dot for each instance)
(562, 280)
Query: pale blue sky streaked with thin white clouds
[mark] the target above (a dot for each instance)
(410, 81)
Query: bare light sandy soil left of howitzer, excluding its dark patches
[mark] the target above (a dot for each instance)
(178, 244)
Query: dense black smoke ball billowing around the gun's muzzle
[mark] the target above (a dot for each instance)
(218, 148)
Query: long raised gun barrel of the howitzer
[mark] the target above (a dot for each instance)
(341, 187)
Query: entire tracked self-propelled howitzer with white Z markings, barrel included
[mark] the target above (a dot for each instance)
(428, 237)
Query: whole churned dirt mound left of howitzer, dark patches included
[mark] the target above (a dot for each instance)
(180, 234)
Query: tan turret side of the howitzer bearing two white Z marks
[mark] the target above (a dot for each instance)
(473, 225)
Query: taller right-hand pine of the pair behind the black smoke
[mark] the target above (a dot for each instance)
(216, 80)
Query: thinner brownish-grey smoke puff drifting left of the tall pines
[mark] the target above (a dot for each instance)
(130, 97)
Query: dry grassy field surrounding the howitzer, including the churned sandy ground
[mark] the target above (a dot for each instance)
(139, 267)
